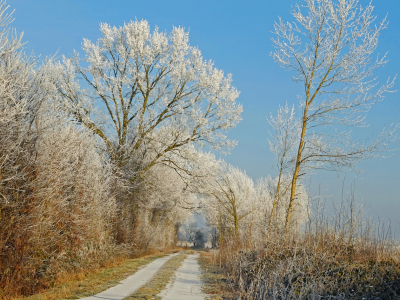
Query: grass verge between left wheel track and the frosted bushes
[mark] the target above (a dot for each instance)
(85, 285)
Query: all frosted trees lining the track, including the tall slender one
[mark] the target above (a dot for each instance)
(102, 155)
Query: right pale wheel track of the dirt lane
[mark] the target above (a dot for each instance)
(187, 284)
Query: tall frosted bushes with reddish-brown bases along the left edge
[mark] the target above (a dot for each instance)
(55, 187)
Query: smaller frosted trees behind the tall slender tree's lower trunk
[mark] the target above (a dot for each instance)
(236, 206)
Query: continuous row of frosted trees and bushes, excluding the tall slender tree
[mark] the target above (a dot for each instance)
(101, 156)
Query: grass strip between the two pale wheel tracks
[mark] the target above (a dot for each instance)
(159, 280)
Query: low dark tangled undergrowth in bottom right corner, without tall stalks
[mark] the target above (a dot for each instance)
(299, 270)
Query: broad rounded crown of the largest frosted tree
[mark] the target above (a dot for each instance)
(155, 92)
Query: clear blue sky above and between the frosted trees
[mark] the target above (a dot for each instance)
(236, 36)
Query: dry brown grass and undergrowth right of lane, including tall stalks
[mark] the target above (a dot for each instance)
(328, 260)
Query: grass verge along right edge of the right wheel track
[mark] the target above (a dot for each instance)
(215, 282)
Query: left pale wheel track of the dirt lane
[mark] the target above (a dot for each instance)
(129, 285)
